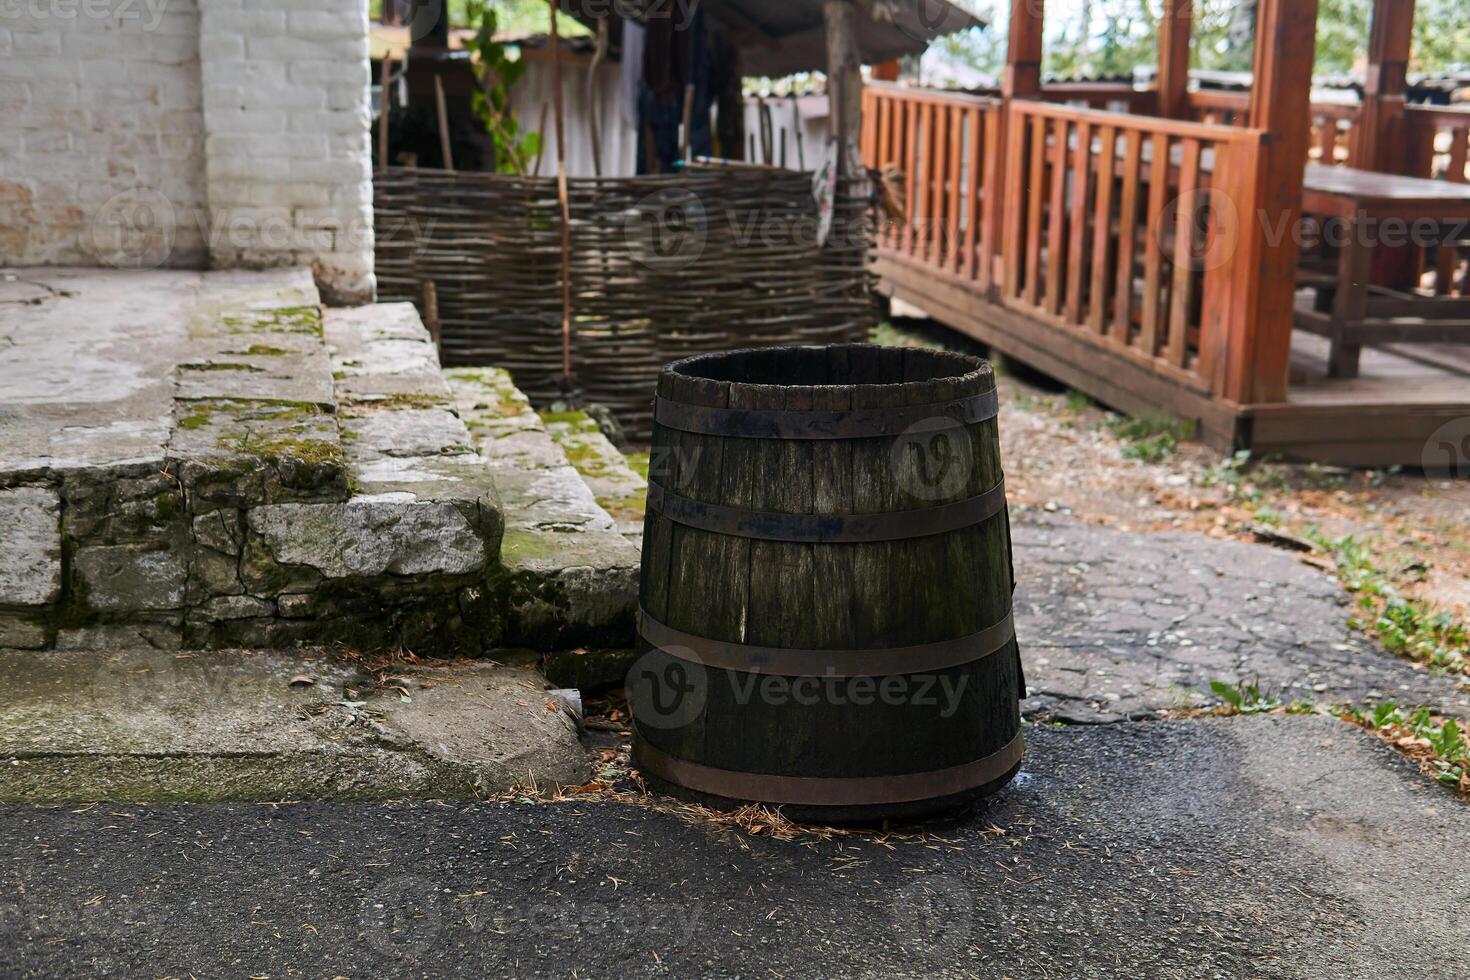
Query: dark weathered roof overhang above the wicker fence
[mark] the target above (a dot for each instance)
(784, 37)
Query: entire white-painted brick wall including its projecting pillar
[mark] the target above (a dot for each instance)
(187, 133)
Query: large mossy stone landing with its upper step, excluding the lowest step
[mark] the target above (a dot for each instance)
(204, 461)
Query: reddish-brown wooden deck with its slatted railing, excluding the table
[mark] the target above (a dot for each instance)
(1041, 228)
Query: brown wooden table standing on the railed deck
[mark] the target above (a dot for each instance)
(1353, 311)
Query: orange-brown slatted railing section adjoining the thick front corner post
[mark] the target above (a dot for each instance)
(1124, 228)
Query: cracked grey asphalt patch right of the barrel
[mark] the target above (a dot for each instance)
(1122, 625)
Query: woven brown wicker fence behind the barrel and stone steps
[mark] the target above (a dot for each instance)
(662, 267)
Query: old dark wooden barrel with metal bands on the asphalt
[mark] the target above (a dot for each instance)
(827, 584)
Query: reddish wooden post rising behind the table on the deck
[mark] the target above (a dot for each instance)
(1381, 140)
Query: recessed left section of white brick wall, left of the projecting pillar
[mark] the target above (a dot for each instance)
(102, 151)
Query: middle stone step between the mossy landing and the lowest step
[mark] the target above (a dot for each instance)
(406, 558)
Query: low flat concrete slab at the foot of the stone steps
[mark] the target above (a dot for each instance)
(104, 724)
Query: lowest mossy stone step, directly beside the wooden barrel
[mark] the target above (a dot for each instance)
(570, 577)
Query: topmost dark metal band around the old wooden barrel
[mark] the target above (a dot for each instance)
(845, 424)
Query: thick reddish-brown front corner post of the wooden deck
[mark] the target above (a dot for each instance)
(1259, 346)
